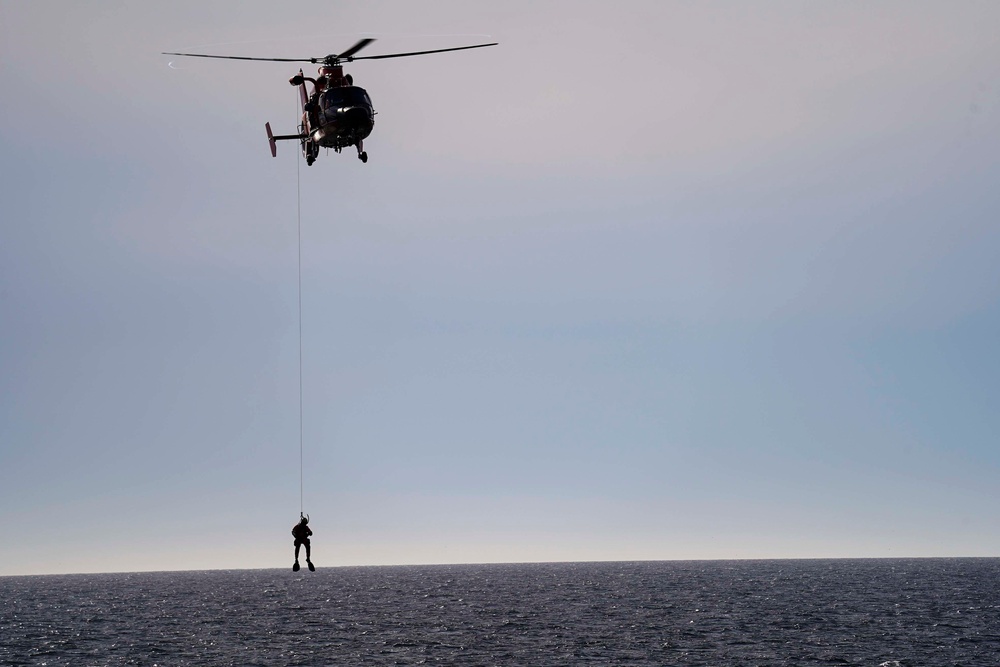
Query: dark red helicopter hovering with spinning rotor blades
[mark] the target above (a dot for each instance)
(335, 113)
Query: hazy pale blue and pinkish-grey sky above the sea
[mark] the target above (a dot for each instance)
(648, 280)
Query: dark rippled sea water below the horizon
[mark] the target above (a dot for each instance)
(892, 613)
